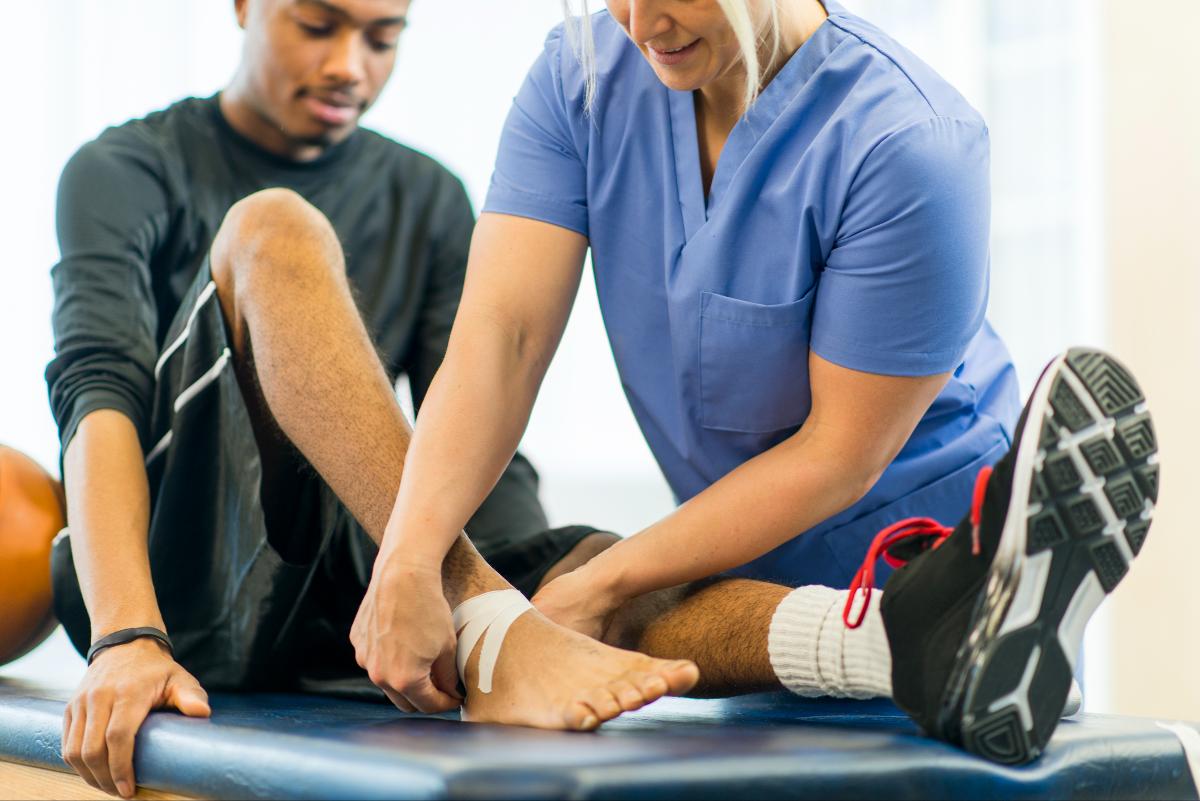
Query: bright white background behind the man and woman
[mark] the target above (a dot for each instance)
(81, 65)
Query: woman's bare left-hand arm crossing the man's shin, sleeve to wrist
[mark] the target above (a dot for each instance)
(521, 281)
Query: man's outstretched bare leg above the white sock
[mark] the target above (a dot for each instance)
(722, 625)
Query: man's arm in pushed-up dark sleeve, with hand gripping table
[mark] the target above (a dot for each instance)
(111, 216)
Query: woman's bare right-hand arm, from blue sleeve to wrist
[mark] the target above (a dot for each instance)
(856, 429)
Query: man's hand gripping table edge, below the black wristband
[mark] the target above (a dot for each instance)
(122, 686)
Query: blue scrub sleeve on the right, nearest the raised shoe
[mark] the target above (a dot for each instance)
(902, 292)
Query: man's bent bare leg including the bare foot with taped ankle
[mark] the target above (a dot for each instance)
(303, 351)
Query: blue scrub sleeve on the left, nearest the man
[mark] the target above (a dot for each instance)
(539, 172)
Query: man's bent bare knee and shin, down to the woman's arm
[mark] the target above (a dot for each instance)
(281, 280)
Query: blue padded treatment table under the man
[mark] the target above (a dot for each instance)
(776, 745)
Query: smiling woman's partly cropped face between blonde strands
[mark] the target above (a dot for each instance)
(689, 44)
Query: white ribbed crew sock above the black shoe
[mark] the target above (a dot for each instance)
(815, 654)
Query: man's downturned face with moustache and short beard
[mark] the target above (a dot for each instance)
(314, 67)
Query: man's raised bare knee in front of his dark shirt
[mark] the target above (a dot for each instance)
(269, 237)
